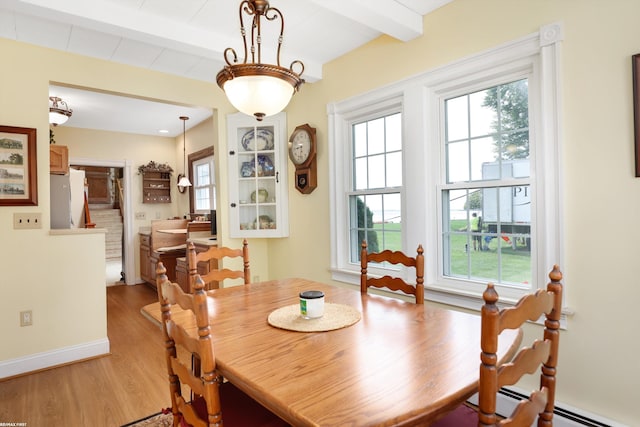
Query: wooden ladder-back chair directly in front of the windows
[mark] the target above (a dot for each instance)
(393, 283)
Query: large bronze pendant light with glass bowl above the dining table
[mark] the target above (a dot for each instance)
(255, 88)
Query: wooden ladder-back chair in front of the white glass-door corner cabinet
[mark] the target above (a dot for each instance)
(218, 253)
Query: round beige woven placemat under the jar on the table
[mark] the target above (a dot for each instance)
(336, 316)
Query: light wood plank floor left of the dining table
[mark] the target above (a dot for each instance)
(110, 391)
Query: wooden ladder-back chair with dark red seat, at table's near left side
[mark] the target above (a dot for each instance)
(213, 399)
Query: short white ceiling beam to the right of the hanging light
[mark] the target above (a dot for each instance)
(386, 16)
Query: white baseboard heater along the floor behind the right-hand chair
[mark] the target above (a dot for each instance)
(563, 416)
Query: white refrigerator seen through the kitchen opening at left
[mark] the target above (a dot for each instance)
(67, 200)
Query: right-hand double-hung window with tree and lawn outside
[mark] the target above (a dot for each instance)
(486, 197)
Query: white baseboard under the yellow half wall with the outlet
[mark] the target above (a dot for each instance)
(48, 359)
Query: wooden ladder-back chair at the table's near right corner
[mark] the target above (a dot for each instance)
(542, 354)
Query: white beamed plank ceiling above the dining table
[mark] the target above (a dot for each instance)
(188, 37)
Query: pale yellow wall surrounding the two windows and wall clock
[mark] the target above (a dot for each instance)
(598, 371)
